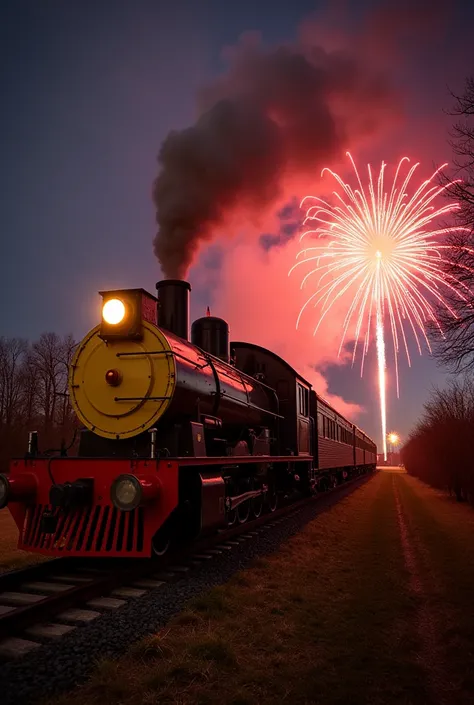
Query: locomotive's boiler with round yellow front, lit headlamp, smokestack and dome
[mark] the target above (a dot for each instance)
(133, 375)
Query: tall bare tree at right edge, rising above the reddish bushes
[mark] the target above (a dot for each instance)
(456, 349)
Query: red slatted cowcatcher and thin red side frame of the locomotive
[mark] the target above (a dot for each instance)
(100, 529)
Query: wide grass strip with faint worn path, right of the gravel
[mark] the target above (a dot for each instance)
(369, 604)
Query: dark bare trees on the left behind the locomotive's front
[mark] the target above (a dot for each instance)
(33, 394)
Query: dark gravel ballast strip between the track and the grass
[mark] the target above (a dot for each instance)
(59, 666)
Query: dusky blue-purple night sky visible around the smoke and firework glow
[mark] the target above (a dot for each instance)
(89, 91)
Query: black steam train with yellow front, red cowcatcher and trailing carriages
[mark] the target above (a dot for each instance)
(180, 434)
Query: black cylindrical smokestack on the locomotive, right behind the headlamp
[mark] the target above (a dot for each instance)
(173, 306)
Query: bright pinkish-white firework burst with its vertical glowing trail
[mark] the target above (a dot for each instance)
(383, 248)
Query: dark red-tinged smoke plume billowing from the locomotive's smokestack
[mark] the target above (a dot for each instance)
(277, 116)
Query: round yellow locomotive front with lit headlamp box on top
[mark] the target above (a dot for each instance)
(123, 375)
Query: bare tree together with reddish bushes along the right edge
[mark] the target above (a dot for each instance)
(440, 449)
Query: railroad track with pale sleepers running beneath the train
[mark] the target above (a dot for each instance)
(44, 602)
